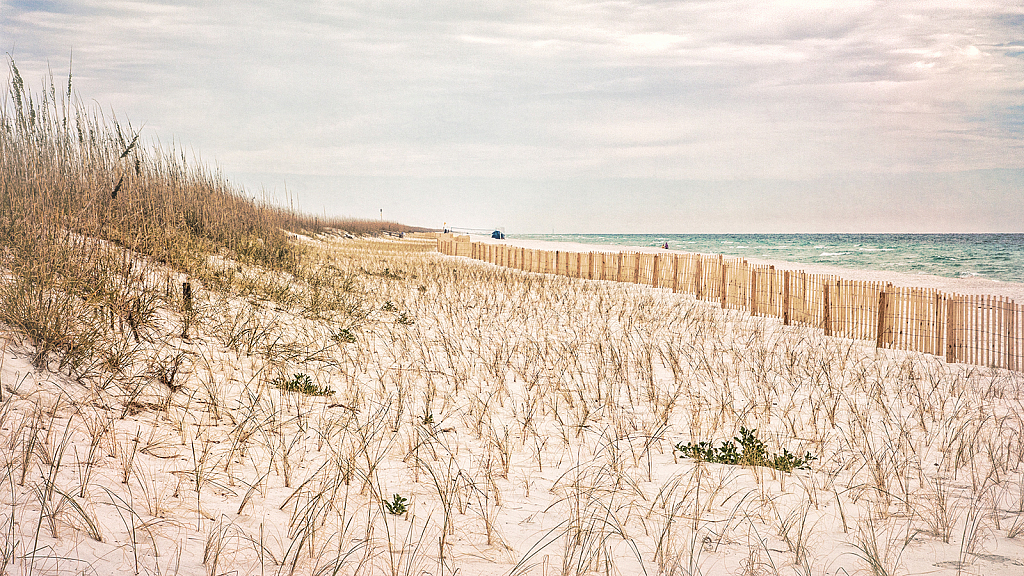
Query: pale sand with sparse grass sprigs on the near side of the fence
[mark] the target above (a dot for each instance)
(483, 421)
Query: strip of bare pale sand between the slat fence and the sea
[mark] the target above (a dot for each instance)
(966, 286)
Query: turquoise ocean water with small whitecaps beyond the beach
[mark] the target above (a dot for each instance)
(994, 257)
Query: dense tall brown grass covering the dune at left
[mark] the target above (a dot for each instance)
(99, 229)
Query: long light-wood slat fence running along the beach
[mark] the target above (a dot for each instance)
(973, 330)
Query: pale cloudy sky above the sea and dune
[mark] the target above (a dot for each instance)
(571, 116)
